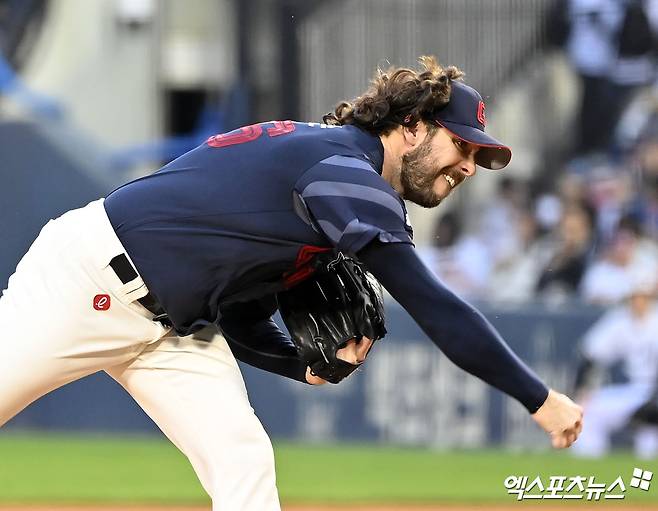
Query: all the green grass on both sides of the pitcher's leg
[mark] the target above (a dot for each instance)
(70, 469)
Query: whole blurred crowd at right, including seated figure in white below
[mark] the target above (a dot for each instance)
(586, 232)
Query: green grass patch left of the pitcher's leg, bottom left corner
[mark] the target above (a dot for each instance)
(94, 469)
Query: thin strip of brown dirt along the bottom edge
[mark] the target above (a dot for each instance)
(437, 507)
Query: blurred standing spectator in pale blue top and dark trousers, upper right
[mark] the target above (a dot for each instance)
(610, 45)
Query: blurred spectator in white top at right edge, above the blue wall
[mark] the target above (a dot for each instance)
(627, 257)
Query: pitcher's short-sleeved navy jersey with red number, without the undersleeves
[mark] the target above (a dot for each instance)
(225, 222)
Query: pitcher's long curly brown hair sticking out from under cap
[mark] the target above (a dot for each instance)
(397, 96)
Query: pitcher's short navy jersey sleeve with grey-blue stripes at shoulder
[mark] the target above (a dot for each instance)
(350, 203)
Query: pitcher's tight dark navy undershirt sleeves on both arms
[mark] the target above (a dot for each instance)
(456, 327)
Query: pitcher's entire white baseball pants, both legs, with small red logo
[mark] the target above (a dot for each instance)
(53, 334)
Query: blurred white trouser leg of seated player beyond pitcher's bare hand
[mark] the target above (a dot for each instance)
(608, 410)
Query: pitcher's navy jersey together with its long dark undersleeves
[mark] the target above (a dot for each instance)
(217, 232)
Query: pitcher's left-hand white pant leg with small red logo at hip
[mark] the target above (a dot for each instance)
(50, 333)
